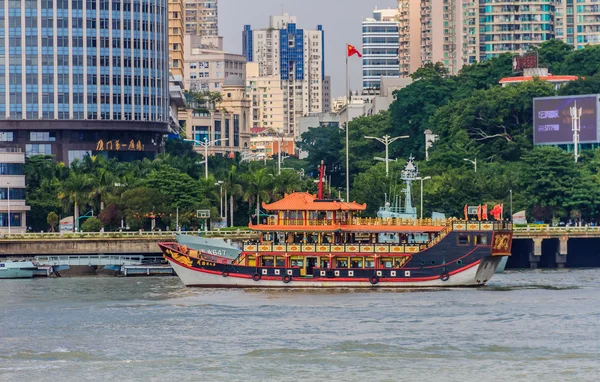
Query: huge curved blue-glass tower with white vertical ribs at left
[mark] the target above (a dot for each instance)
(84, 77)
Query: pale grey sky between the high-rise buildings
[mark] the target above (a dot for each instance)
(341, 20)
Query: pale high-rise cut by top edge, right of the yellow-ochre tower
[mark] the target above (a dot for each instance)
(201, 17)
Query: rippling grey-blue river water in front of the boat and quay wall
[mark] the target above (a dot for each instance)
(524, 326)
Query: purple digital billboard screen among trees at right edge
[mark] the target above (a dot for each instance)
(552, 121)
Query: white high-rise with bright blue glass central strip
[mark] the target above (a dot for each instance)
(297, 56)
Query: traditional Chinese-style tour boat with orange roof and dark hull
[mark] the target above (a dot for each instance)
(311, 242)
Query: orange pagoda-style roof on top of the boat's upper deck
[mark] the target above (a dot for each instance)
(303, 201)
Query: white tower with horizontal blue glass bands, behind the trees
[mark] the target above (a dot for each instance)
(380, 47)
